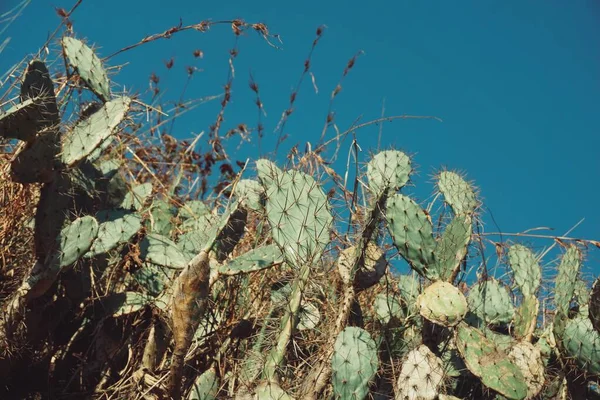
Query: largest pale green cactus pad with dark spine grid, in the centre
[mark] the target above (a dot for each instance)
(298, 213)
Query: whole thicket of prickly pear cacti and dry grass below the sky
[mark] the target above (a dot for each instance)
(281, 284)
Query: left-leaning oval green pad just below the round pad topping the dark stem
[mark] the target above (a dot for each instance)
(412, 233)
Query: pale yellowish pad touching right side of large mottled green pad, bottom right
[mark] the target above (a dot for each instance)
(529, 360)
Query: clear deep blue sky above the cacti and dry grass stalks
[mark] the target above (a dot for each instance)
(516, 83)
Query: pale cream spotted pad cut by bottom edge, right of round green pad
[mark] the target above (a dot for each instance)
(421, 375)
